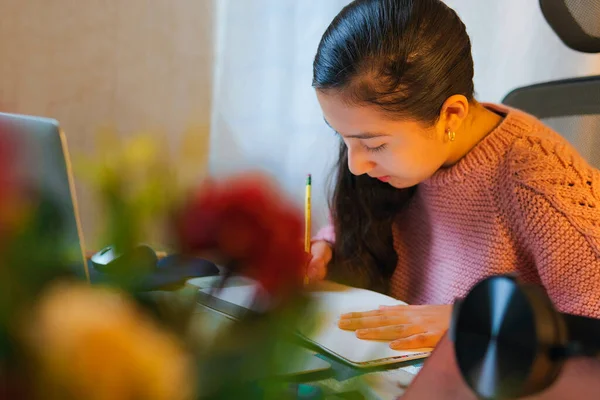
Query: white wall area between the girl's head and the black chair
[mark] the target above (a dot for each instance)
(513, 46)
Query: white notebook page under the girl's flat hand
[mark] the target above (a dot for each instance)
(334, 300)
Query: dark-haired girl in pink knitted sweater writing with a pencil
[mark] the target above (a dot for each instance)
(435, 190)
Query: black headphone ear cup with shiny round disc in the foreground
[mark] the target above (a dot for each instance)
(510, 341)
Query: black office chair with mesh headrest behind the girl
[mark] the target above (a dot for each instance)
(569, 106)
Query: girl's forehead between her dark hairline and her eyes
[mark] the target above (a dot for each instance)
(349, 119)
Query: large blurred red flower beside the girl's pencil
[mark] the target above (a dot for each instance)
(246, 220)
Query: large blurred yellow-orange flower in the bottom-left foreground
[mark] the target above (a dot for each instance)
(93, 343)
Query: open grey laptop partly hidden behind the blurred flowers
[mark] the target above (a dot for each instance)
(43, 164)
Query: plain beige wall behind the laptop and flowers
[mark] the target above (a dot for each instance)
(131, 65)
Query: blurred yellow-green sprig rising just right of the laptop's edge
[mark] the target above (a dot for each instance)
(134, 180)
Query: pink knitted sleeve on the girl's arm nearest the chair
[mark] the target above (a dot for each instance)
(553, 203)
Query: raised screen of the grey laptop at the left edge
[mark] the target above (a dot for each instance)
(42, 165)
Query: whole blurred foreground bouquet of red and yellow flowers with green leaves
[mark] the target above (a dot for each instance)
(70, 340)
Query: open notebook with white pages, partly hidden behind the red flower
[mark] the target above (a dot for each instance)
(333, 300)
